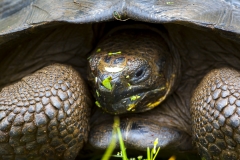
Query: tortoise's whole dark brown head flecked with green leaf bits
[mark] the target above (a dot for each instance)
(131, 71)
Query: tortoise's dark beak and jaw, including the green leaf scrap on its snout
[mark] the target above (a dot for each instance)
(121, 98)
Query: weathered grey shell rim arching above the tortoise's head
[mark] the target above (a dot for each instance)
(18, 16)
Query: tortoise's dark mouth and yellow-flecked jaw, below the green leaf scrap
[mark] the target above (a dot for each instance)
(124, 99)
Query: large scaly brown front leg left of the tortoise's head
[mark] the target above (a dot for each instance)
(44, 115)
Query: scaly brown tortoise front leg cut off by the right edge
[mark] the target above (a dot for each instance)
(215, 108)
